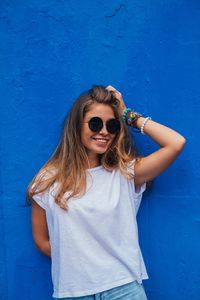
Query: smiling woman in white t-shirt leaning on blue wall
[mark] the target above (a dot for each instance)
(87, 195)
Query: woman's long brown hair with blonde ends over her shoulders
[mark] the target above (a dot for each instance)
(69, 161)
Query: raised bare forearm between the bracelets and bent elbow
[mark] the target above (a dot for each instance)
(162, 135)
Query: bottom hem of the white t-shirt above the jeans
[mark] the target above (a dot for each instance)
(97, 290)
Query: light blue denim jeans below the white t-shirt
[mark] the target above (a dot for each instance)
(129, 291)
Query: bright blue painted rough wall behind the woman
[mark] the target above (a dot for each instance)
(51, 51)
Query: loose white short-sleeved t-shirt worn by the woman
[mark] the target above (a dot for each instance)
(94, 245)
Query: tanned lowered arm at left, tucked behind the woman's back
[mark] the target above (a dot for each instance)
(40, 229)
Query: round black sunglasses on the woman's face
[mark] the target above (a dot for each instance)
(112, 125)
